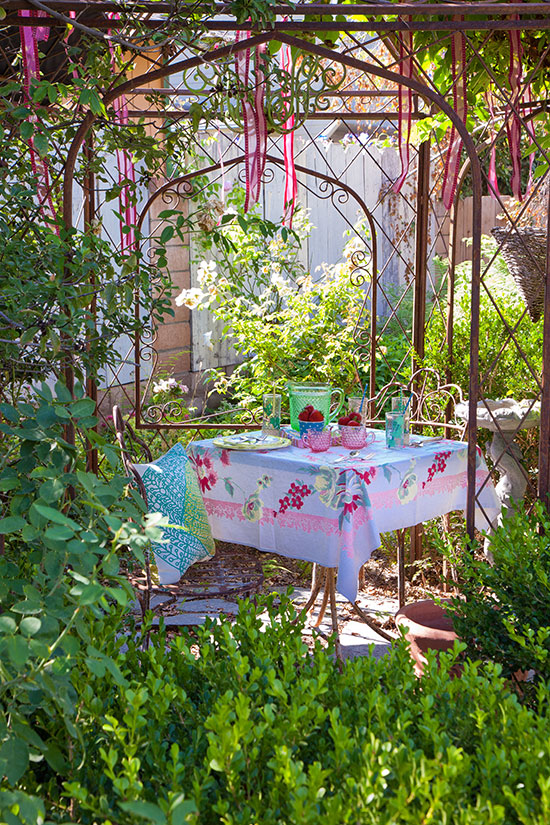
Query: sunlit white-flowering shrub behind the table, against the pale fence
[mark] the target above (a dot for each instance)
(284, 322)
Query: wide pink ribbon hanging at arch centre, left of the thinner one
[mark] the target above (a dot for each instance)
(254, 121)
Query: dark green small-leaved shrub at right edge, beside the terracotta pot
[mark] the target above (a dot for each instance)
(504, 616)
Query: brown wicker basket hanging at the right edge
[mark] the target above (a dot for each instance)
(524, 250)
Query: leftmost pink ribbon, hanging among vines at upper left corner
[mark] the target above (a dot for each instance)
(29, 36)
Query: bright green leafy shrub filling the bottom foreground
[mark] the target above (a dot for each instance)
(243, 725)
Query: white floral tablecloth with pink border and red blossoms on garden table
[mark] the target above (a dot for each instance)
(311, 506)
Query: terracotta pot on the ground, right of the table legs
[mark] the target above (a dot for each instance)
(429, 627)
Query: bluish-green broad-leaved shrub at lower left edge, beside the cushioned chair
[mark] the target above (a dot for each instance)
(60, 583)
